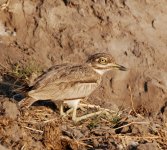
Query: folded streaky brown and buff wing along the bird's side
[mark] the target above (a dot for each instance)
(64, 82)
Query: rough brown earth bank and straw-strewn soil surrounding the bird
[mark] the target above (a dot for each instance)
(40, 34)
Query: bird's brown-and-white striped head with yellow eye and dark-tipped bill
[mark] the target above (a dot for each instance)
(102, 62)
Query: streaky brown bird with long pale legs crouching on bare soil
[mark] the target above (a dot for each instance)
(70, 83)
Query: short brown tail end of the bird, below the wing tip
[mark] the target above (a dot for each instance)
(27, 102)
